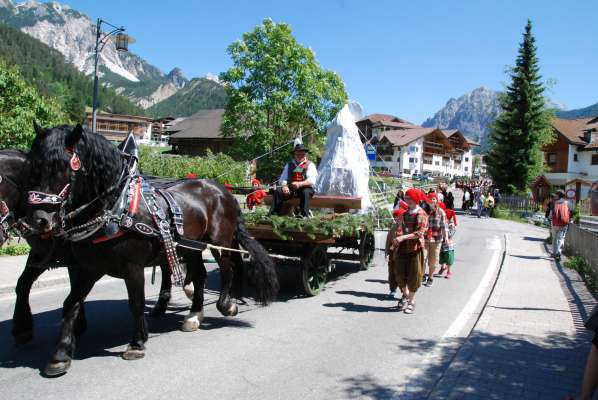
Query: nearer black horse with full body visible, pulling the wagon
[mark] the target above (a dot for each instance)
(210, 213)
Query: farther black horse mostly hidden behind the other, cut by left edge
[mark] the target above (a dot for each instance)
(45, 253)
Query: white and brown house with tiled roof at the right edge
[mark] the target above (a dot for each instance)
(572, 159)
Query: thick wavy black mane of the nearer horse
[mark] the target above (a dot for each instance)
(100, 159)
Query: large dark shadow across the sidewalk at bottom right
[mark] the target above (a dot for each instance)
(497, 365)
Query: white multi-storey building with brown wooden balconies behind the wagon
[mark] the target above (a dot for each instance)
(404, 149)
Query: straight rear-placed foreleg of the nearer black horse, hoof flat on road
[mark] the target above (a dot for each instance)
(135, 283)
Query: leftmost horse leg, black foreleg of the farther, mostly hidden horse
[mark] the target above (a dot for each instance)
(22, 320)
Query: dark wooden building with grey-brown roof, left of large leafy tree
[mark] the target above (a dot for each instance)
(199, 133)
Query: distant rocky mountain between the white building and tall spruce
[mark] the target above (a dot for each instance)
(471, 113)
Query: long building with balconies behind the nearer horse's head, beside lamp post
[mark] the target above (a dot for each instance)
(116, 127)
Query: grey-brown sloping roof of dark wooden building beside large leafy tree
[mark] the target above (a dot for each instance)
(204, 124)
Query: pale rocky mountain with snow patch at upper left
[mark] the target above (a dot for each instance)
(73, 34)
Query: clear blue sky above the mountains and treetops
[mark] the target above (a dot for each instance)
(405, 58)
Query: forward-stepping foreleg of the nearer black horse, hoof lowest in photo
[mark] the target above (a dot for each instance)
(83, 282)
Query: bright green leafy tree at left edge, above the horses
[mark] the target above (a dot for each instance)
(20, 105)
